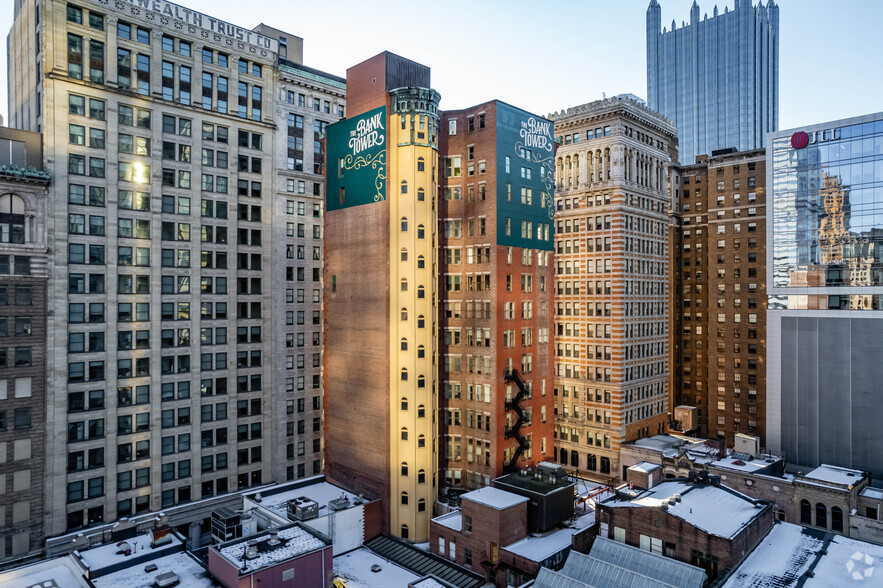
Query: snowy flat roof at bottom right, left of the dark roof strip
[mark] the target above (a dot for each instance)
(785, 554)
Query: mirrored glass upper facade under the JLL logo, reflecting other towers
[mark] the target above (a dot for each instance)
(828, 218)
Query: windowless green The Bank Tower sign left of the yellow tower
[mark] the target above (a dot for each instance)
(356, 151)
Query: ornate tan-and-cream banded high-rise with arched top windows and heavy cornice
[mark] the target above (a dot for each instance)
(613, 177)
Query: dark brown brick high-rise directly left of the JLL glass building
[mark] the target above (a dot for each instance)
(719, 281)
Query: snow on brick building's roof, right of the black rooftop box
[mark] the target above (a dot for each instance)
(715, 510)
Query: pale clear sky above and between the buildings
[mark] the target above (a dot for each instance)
(546, 56)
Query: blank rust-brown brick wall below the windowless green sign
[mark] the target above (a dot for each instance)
(357, 349)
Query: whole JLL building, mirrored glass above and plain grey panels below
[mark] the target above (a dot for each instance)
(824, 272)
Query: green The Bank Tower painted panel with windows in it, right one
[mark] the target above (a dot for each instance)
(525, 179)
